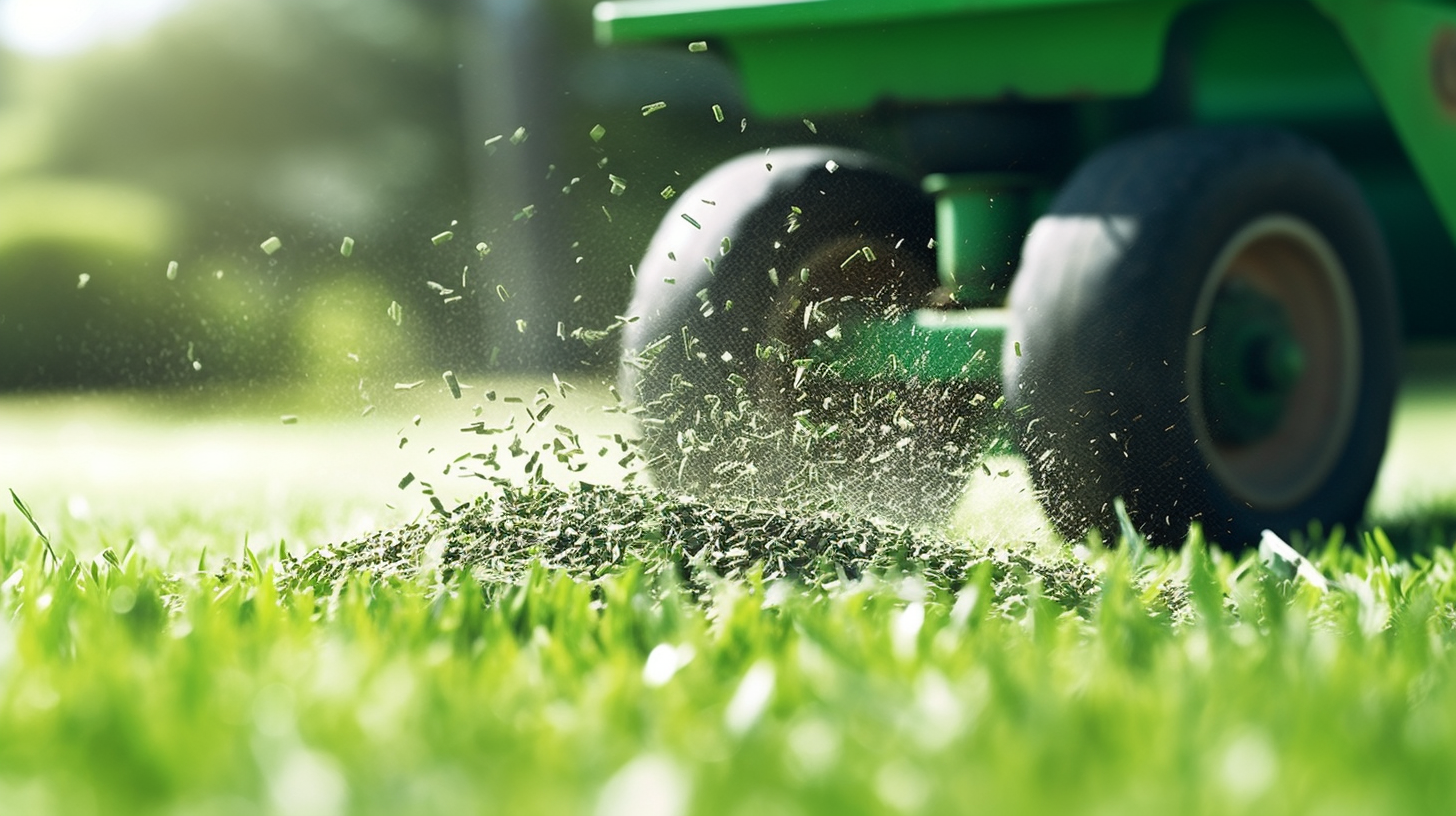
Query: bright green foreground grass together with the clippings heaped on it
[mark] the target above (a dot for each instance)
(506, 678)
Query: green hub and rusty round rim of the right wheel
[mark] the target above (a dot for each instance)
(1275, 362)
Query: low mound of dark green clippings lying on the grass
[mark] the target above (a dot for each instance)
(593, 531)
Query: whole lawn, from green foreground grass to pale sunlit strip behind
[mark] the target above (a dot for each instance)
(528, 658)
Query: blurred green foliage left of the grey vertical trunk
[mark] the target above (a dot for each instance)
(228, 123)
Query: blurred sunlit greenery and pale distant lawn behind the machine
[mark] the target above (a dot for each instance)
(151, 349)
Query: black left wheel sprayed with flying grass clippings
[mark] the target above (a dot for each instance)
(724, 419)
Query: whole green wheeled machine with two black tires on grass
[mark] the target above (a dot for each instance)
(1142, 241)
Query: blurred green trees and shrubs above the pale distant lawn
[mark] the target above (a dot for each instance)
(136, 135)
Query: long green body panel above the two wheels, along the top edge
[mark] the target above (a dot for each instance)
(800, 58)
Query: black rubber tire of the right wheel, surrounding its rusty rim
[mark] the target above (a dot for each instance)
(1106, 397)
